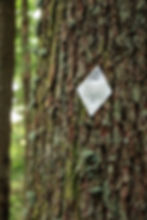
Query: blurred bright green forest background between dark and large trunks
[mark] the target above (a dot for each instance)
(18, 138)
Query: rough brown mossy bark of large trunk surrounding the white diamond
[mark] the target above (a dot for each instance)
(84, 168)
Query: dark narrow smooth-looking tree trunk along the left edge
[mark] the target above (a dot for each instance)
(6, 73)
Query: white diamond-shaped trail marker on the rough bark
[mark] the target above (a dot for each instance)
(94, 90)
